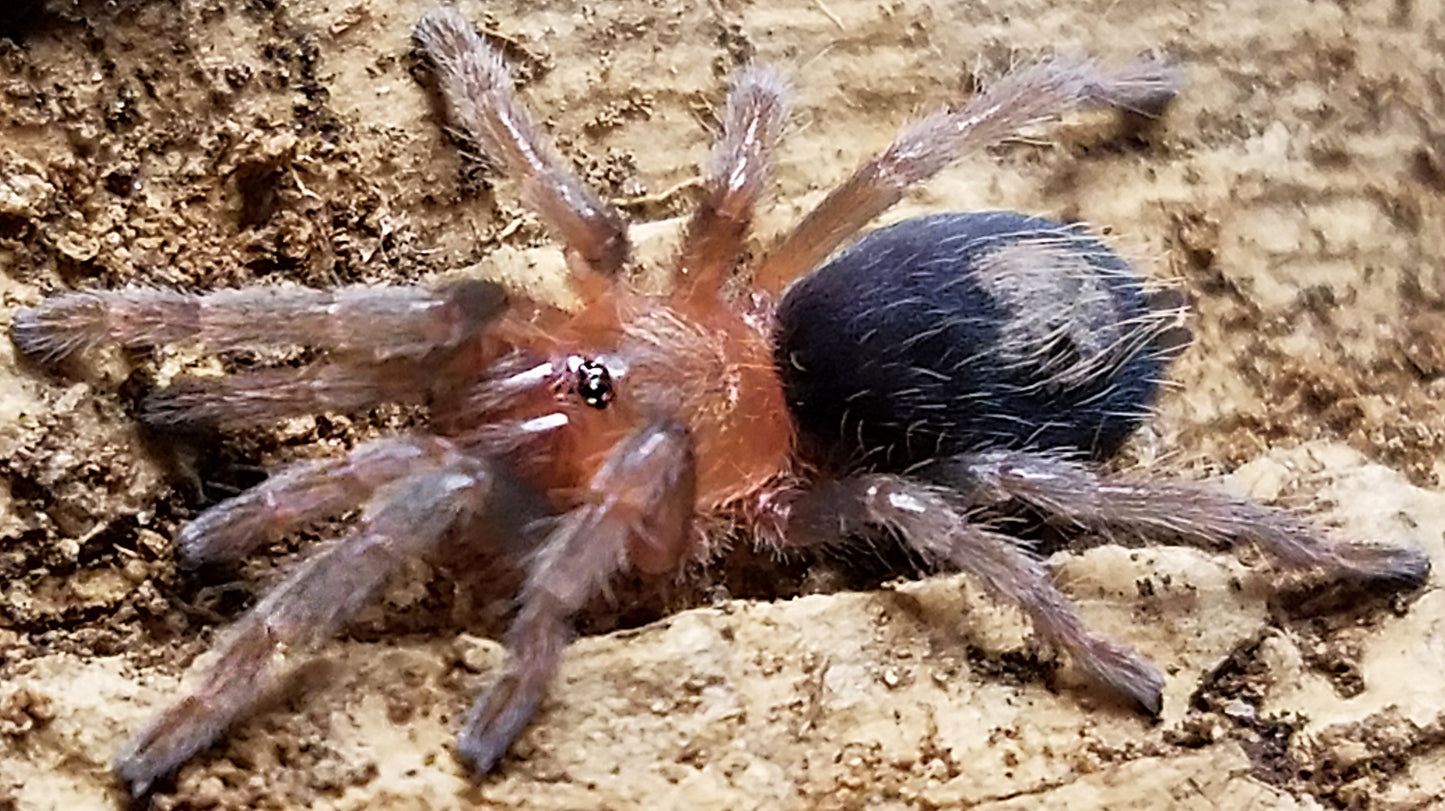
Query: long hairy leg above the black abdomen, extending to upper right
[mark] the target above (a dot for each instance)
(1019, 100)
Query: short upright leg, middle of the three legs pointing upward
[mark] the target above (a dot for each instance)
(742, 163)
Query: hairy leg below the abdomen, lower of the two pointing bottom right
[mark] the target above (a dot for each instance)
(931, 521)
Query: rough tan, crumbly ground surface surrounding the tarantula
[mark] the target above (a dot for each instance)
(1295, 192)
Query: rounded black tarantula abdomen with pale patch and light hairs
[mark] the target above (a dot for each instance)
(962, 333)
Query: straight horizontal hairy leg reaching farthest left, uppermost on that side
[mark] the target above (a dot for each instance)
(376, 323)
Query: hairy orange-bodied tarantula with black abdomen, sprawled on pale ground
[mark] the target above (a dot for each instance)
(937, 368)
